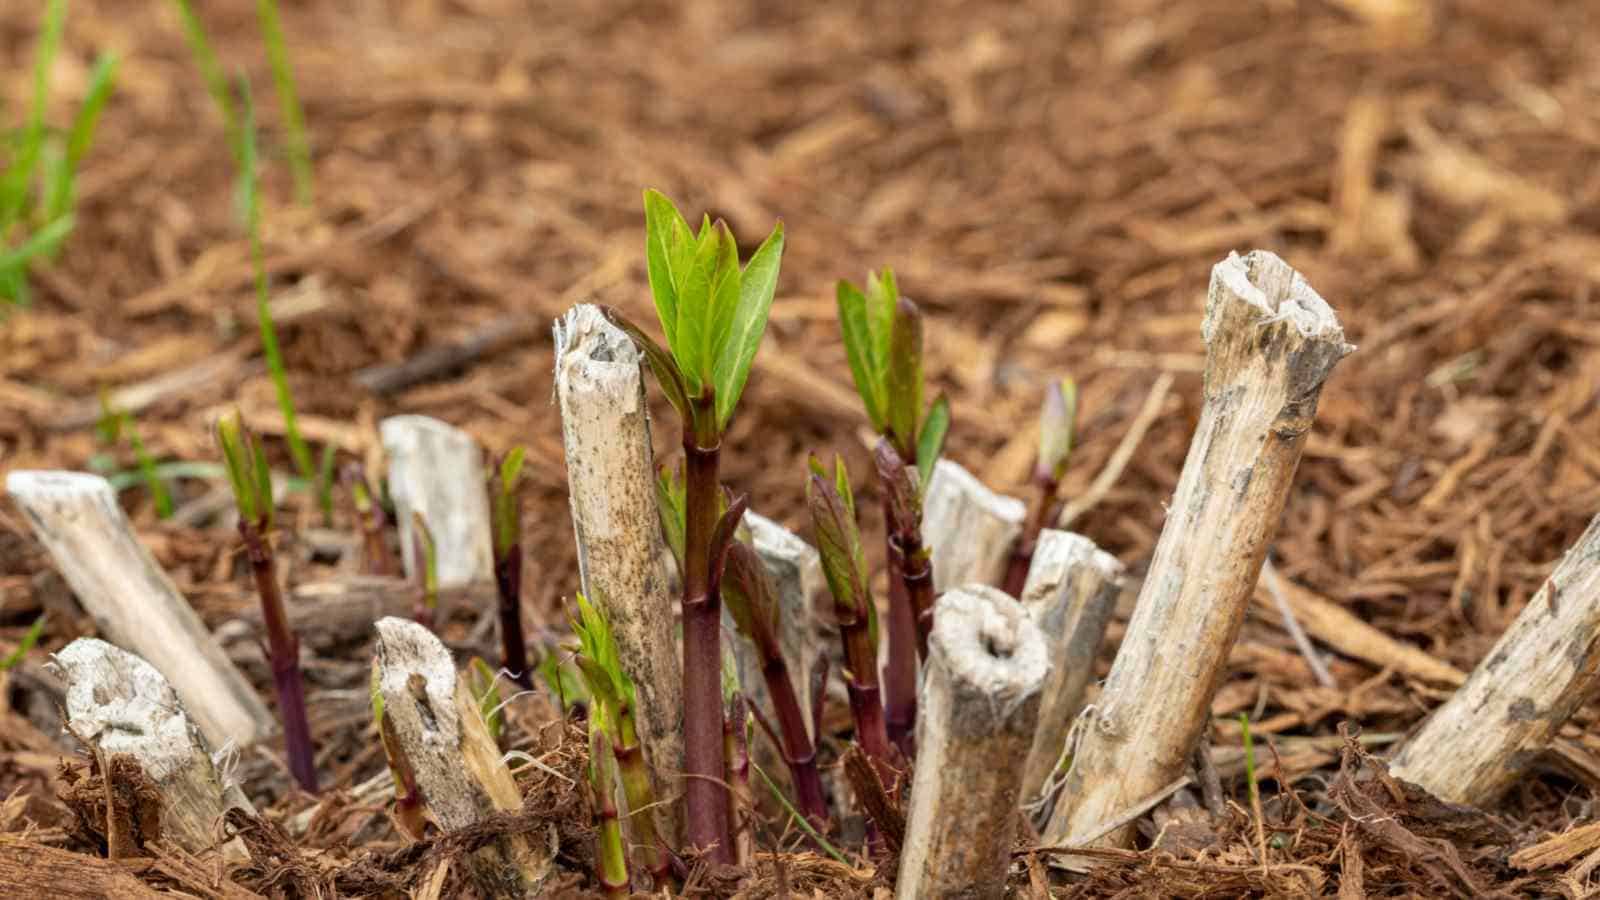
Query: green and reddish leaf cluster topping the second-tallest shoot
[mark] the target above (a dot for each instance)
(882, 337)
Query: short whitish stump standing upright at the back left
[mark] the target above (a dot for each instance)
(438, 470)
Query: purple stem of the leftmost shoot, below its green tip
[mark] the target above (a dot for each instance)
(282, 656)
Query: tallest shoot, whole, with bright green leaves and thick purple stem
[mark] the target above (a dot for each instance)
(713, 313)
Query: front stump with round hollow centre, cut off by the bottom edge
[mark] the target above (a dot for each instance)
(975, 725)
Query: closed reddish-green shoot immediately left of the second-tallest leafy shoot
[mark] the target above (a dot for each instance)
(846, 565)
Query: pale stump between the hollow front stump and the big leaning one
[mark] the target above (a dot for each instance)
(1071, 593)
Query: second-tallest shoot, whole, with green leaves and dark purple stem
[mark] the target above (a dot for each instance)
(882, 334)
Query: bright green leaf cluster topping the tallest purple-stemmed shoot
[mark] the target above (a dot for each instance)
(713, 311)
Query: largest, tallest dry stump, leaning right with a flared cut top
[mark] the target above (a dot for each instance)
(1271, 344)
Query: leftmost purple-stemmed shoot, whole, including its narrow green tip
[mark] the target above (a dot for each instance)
(252, 483)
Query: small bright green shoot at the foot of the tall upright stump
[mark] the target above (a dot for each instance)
(614, 710)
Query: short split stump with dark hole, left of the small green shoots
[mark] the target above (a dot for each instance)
(458, 766)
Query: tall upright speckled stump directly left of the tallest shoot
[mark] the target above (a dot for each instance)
(610, 475)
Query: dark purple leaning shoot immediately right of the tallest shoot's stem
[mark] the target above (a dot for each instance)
(753, 601)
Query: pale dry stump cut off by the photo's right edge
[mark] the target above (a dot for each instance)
(1546, 665)
